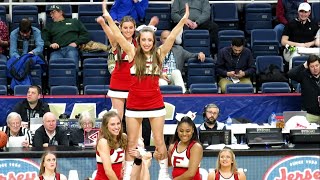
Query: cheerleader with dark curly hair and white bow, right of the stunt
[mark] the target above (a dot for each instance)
(185, 152)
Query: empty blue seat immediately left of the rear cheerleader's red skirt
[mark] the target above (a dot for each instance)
(95, 71)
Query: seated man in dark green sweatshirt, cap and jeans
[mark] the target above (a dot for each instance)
(64, 36)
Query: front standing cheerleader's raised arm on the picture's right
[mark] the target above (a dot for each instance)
(167, 45)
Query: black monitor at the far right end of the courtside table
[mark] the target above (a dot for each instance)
(305, 136)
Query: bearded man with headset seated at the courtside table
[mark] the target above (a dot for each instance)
(210, 120)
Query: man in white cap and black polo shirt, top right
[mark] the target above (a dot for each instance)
(300, 32)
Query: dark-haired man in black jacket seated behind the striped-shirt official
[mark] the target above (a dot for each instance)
(32, 106)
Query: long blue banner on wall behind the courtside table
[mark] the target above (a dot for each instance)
(256, 108)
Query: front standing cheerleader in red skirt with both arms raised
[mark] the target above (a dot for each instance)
(145, 99)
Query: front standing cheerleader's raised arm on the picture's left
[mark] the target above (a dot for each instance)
(124, 44)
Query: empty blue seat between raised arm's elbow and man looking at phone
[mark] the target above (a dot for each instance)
(196, 41)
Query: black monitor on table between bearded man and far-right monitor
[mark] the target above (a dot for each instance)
(264, 136)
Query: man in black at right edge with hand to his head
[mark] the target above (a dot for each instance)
(308, 75)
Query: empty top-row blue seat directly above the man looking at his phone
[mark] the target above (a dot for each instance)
(225, 15)
